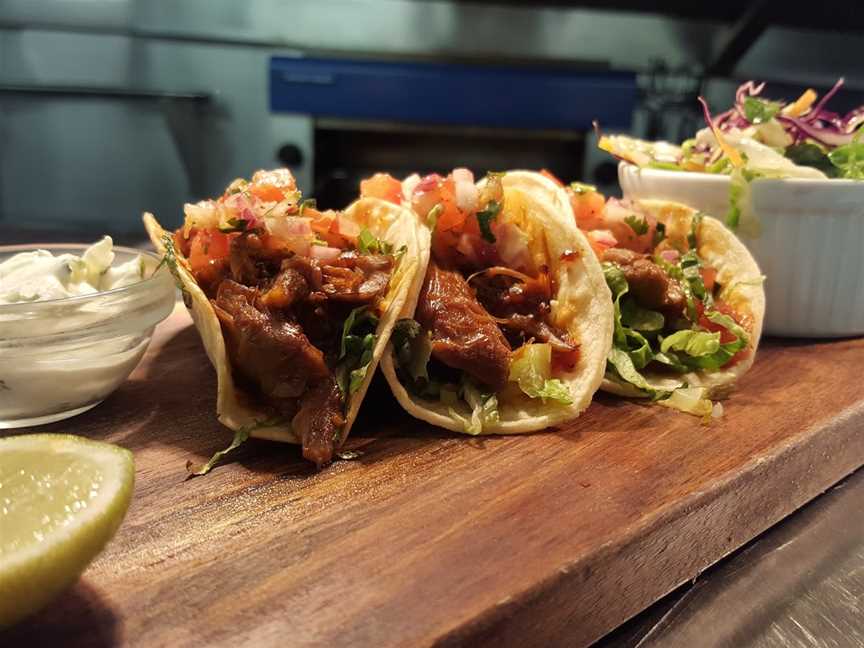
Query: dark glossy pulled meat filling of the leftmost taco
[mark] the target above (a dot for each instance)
(282, 321)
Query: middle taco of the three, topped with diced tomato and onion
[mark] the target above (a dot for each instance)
(510, 329)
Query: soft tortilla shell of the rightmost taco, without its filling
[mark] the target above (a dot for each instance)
(741, 288)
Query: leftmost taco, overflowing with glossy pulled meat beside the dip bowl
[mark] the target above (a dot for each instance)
(294, 305)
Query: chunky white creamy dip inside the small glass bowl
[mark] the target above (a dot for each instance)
(39, 275)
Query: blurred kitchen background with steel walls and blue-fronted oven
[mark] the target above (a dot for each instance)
(111, 107)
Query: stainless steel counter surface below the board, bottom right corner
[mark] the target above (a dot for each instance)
(800, 584)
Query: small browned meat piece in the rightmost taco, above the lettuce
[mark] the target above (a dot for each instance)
(650, 286)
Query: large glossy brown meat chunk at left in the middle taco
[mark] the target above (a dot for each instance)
(464, 335)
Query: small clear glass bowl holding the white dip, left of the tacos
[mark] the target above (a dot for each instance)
(61, 357)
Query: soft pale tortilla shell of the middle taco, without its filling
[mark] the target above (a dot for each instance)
(582, 306)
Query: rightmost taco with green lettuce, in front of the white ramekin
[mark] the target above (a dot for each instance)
(688, 299)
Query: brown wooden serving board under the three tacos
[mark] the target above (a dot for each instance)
(433, 538)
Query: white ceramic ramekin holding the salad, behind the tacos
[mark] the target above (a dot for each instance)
(811, 248)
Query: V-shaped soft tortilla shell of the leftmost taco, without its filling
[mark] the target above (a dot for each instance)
(388, 222)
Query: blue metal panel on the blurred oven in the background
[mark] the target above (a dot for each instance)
(435, 93)
